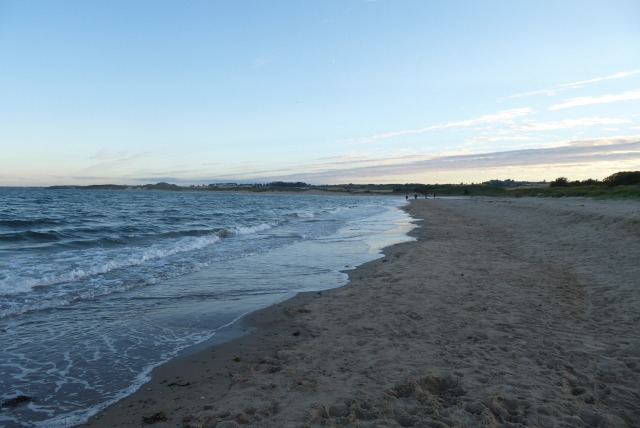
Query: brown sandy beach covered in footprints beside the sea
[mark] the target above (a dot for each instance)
(504, 312)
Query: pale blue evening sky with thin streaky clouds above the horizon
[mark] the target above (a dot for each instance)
(320, 91)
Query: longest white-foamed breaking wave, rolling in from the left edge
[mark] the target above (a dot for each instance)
(48, 285)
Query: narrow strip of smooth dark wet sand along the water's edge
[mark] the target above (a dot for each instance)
(249, 338)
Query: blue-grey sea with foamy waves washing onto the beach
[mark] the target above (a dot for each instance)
(98, 287)
